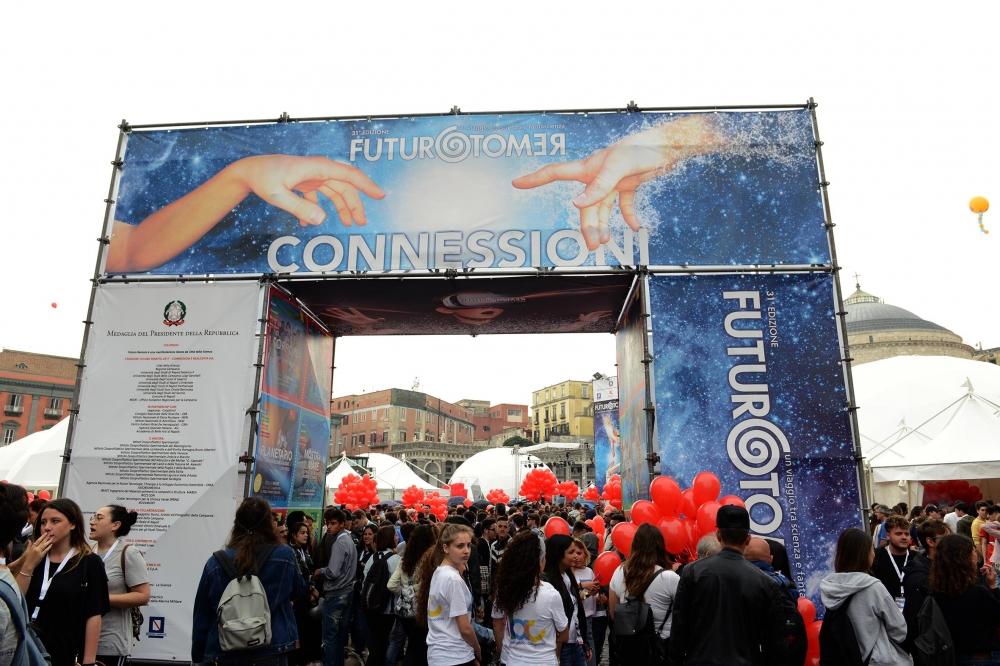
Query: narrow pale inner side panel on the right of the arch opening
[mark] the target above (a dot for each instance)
(631, 403)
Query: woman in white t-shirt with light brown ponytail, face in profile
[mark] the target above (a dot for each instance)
(445, 605)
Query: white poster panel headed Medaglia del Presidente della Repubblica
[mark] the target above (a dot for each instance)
(163, 421)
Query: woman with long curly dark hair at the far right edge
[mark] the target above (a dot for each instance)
(971, 610)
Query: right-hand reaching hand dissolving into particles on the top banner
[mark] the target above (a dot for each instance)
(616, 172)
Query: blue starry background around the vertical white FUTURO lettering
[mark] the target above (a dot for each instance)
(808, 399)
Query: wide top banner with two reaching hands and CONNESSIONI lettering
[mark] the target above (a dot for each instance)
(471, 191)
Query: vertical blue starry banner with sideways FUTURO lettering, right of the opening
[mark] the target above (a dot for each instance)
(749, 386)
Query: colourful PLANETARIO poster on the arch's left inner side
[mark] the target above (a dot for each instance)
(293, 436)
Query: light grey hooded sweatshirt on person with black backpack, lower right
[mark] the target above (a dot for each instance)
(876, 618)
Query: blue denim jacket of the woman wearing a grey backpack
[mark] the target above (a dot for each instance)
(282, 582)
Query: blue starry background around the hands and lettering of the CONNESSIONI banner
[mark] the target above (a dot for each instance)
(757, 201)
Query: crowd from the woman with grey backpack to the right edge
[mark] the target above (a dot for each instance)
(390, 585)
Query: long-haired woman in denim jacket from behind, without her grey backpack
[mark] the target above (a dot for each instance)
(253, 547)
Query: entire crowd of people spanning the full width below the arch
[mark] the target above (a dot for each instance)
(493, 585)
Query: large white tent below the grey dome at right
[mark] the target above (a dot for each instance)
(929, 418)
